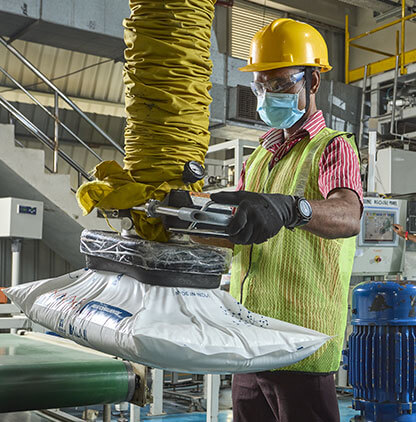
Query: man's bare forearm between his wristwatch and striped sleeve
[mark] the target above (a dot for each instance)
(335, 217)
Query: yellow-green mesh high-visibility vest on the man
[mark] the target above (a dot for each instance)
(297, 276)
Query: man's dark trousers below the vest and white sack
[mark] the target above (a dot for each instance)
(278, 396)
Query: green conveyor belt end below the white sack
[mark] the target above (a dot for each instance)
(42, 371)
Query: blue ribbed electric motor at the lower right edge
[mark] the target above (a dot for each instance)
(382, 351)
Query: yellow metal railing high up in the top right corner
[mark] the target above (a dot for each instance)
(405, 57)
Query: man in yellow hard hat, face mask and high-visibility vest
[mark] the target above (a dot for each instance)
(299, 204)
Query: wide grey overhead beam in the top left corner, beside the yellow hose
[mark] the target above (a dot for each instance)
(93, 27)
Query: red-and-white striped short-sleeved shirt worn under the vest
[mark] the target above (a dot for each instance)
(338, 166)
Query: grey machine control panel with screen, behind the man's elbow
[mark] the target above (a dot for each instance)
(379, 250)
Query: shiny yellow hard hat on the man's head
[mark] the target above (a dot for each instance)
(285, 43)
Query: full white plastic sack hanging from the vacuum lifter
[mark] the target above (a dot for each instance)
(176, 329)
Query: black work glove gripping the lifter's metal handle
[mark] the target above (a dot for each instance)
(259, 216)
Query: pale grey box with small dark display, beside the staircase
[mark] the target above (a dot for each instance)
(21, 218)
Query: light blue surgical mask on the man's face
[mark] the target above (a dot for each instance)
(279, 110)
